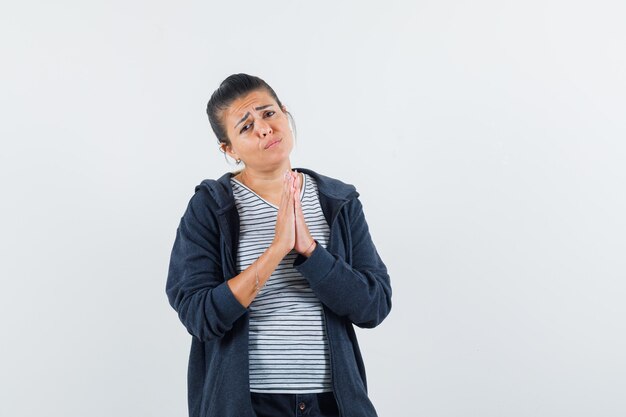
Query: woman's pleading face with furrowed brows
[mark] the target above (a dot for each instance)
(258, 131)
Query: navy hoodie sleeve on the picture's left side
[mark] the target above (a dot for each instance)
(196, 287)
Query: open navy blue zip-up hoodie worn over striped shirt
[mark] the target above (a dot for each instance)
(348, 277)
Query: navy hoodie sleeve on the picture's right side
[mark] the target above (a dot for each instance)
(361, 291)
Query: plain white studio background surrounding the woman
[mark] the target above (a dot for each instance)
(486, 139)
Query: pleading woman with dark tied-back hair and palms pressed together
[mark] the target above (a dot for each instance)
(270, 270)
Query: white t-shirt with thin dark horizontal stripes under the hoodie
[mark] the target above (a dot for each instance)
(288, 347)
